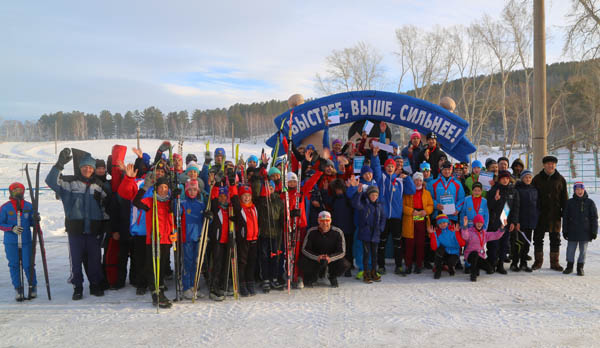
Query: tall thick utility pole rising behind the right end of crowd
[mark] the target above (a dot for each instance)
(539, 85)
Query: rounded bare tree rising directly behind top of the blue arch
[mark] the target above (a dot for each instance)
(352, 69)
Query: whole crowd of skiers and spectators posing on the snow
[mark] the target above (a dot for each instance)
(306, 215)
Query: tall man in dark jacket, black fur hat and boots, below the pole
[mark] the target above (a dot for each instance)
(552, 190)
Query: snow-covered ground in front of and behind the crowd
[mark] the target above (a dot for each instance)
(540, 309)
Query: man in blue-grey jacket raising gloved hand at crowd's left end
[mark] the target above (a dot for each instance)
(84, 220)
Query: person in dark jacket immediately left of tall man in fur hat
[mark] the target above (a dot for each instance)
(529, 212)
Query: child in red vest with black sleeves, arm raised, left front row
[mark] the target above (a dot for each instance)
(165, 229)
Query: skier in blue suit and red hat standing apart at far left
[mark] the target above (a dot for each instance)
(9, 212)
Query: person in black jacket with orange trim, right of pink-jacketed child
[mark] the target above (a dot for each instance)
(503, 192)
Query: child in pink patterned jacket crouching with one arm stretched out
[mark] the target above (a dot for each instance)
(476, 237)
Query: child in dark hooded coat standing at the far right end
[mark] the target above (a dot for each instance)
(580, 226)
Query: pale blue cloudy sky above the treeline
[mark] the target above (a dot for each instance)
(126, 55)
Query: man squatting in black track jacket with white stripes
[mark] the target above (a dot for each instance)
(323, 249)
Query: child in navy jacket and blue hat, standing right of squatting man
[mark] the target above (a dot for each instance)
(371, 222)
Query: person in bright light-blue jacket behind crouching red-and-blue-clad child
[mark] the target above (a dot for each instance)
(450, 188)
